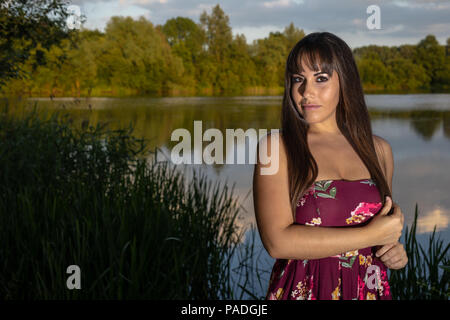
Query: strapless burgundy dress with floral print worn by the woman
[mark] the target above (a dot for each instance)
(356, 275)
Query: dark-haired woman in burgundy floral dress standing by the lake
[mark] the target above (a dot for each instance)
(326, 214)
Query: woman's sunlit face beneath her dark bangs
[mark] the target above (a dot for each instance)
(316, 88)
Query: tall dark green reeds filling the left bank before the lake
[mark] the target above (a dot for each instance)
(137, 229)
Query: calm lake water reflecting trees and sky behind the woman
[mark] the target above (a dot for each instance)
(416, 126)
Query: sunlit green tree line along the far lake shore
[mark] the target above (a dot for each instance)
(134, 56)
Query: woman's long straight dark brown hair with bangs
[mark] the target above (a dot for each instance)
(352, 116)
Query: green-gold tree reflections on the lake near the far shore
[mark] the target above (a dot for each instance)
(156, 119)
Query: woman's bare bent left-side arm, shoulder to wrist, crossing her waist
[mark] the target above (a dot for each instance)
(280, 236)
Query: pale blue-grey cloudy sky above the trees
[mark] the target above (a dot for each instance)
(399, 21)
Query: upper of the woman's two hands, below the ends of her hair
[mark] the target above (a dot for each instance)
(384, 228)
